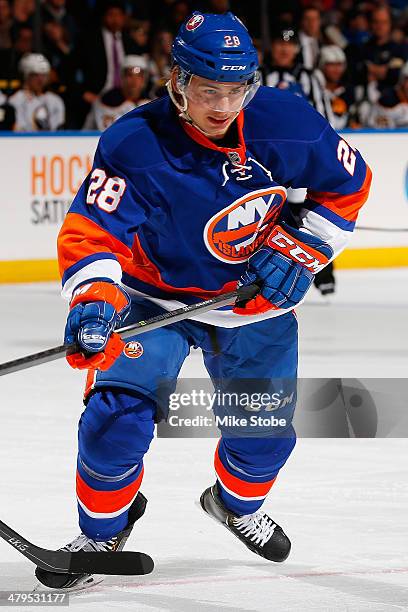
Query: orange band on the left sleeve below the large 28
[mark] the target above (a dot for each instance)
(80, 237)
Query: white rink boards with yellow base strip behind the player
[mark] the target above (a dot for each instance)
(40, 174)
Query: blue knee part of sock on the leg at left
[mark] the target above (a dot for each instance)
(115, 431)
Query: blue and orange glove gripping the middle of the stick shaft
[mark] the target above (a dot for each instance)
(97, 308)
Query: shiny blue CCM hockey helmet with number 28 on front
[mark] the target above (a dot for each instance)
(216, 47)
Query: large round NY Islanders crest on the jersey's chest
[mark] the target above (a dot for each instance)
(234, 233)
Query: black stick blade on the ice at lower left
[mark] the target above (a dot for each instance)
(61, 561)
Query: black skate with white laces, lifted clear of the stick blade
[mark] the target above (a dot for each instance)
(257, 531)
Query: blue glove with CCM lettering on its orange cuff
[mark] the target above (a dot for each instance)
(284, 268)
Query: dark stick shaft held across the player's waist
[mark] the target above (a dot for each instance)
(173, 316)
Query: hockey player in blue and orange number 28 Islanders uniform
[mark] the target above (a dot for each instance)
(186, 197)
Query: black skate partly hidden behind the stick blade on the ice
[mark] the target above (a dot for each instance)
(56, 580)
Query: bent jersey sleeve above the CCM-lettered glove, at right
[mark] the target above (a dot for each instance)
(338, 182)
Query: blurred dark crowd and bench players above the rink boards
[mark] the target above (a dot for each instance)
(81, 64)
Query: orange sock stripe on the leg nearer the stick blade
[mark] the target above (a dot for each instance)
(106, 501)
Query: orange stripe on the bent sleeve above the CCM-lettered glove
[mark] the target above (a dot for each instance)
(346, 206)
